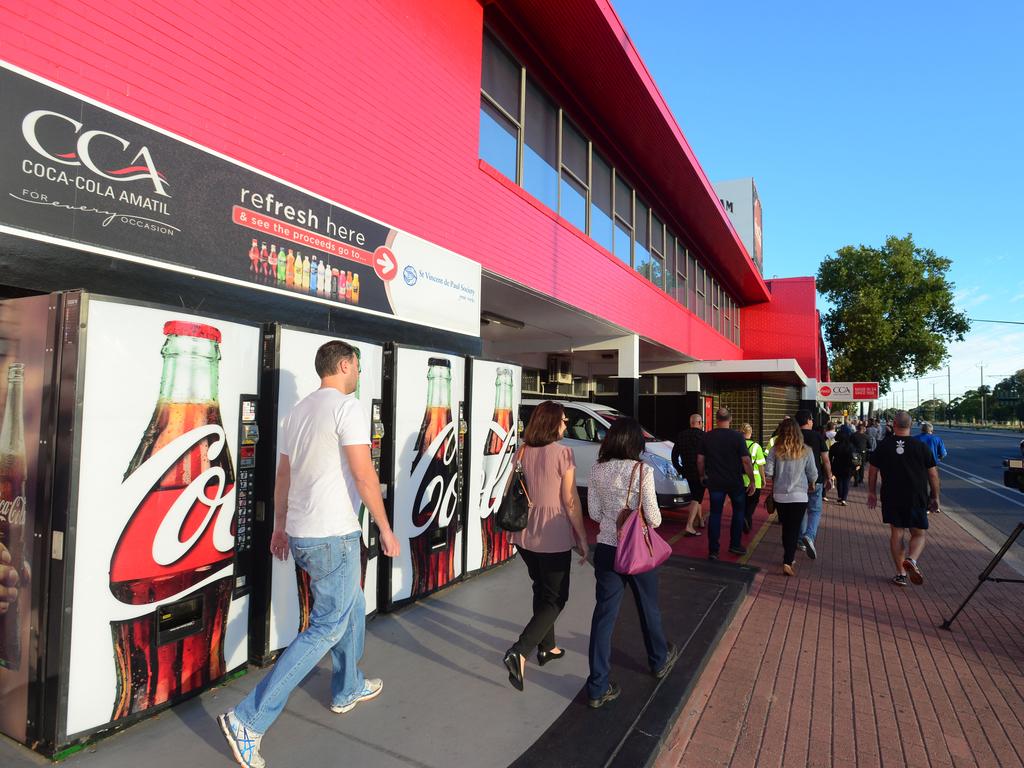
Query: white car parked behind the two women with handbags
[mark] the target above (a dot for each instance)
(589, 423)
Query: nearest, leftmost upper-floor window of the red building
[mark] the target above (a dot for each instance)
(500, 109)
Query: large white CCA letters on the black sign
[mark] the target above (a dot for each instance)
(140, 167)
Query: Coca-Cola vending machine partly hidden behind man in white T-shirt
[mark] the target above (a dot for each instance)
(281, 594)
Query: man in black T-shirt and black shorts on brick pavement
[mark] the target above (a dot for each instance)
(909, 474)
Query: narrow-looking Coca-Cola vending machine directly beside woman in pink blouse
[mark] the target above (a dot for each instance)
(495, 391)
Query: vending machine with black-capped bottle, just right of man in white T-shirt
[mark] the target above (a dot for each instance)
(424, 396)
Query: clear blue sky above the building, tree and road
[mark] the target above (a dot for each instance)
(859, 122)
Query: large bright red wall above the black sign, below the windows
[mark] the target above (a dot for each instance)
(374, 104)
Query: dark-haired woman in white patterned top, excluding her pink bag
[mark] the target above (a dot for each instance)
(609, 493)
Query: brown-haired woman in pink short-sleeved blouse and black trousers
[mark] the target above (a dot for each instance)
(553, 531)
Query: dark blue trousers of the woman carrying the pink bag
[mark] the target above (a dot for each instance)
(611, 587)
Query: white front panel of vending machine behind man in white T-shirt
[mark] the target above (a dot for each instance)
(290, 599)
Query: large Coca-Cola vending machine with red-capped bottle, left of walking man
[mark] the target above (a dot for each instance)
(147, 528)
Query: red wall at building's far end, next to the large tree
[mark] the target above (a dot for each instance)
(785, 327)
